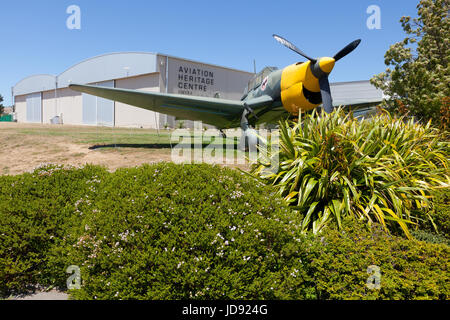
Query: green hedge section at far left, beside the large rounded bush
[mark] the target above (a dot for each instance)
(36, 212)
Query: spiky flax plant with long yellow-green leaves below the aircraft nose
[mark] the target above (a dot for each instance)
(381, 169)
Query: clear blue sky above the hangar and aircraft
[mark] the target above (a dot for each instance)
(34, 38)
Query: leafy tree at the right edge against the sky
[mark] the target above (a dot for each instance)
(418, 76)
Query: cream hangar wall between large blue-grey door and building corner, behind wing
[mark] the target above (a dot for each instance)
(129, 116)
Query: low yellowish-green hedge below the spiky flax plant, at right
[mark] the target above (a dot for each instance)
(334, 265)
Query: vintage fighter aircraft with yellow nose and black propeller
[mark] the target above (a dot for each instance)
(298, 87)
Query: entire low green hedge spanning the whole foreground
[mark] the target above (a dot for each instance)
(169, 231)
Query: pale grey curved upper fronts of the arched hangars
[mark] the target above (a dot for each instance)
(97, 69)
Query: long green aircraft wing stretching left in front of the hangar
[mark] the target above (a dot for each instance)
(221, 113)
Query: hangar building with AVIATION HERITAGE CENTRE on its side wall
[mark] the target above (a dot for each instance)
(47, 99)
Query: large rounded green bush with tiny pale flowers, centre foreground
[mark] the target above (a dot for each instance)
(173, 232)
